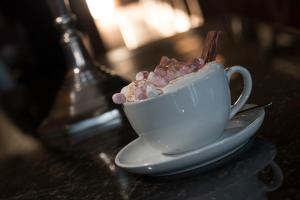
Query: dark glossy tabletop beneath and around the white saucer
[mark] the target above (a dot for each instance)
(28, 170)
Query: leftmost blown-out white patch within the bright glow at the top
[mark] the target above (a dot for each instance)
(102, 10)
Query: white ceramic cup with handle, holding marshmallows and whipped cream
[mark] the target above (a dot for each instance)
(192, 116)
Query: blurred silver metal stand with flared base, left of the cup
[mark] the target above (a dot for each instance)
(83, 105)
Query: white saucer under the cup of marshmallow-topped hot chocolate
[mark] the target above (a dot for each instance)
(141, 158)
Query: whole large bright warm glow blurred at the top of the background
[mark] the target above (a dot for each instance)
(141, 22)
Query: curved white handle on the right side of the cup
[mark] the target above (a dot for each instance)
(246, 90)
